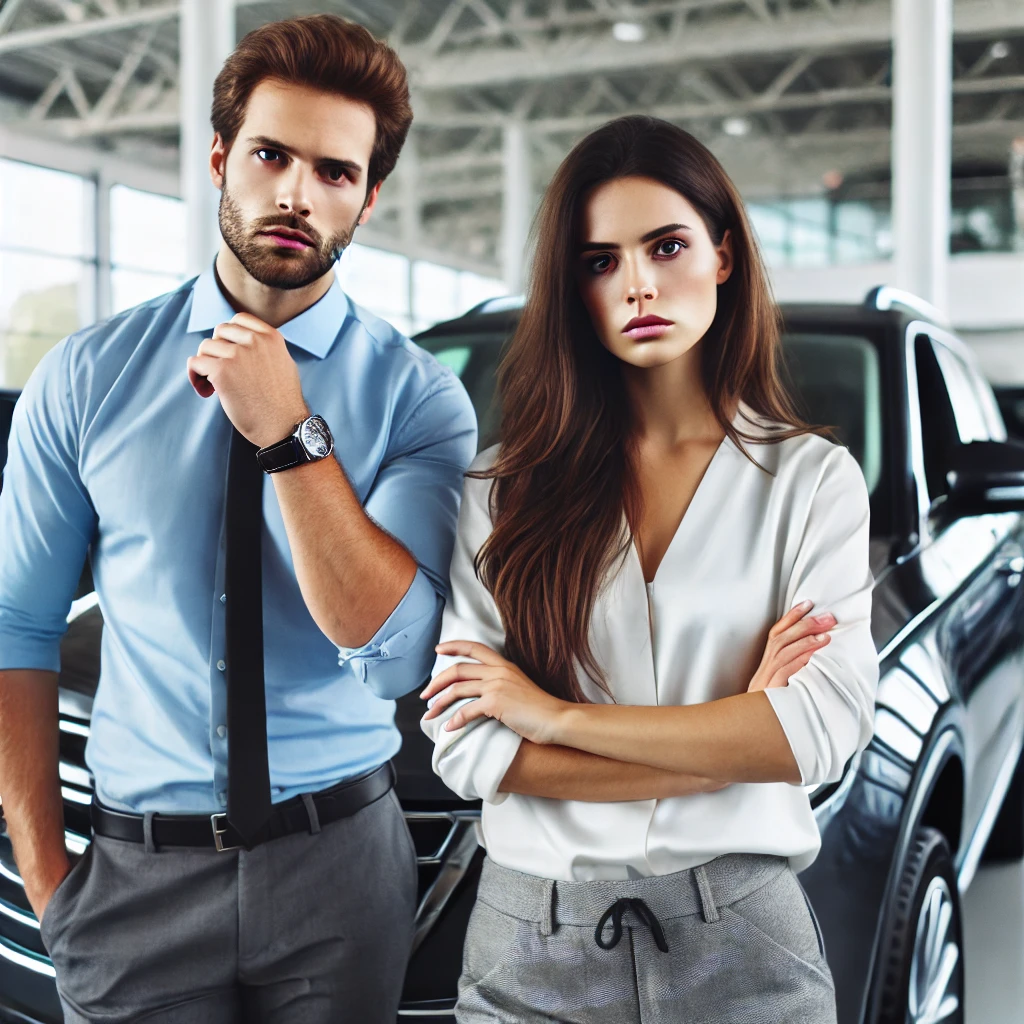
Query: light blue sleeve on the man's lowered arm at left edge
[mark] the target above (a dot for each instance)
(47, 520)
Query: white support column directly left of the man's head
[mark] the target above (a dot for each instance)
(207, 37)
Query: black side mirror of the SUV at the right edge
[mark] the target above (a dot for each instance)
(988, 477)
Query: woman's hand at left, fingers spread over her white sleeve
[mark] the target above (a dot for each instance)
(504, 692)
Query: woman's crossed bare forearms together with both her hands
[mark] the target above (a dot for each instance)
(612, 752)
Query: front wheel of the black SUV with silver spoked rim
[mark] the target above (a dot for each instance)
(914, 969)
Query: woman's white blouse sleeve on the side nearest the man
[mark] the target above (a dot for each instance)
(472, 761)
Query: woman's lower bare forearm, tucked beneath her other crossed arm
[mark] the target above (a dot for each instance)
(565, 774)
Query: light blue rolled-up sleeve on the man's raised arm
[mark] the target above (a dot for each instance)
(416, 500)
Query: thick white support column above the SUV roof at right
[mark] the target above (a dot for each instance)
(921, 146)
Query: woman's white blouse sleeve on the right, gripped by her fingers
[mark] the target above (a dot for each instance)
(828, 709)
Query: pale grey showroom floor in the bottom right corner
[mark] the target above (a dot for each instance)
(994, 917)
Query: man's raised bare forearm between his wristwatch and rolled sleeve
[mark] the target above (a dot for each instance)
(352, 574)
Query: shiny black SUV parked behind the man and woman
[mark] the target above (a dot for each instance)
(938, 788)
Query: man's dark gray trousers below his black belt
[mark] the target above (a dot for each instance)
(308, 929)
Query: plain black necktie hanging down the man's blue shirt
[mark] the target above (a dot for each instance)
(248, 773)
